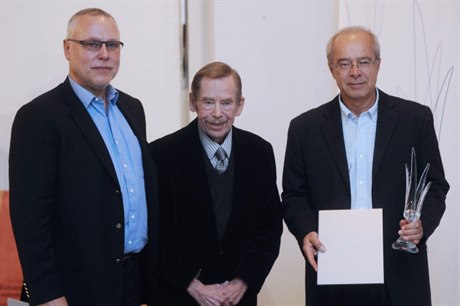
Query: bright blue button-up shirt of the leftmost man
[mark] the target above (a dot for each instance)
(125, 152)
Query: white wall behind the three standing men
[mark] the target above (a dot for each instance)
(279, 49)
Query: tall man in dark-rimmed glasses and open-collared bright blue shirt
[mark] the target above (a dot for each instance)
(83, 185)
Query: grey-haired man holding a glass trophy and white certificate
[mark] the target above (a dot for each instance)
(350, 154)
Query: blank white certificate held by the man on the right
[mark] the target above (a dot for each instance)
(353, 239)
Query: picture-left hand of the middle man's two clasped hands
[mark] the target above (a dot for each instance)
(206, 295)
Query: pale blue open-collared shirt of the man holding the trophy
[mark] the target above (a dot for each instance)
(359, 137)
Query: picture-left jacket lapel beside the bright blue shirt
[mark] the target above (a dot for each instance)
(89, 130)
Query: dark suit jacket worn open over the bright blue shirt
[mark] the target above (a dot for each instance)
(66, 204)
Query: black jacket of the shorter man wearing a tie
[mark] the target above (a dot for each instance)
(188, 234)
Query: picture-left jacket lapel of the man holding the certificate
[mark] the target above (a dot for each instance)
(333, 135)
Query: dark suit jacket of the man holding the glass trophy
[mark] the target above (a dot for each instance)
(316, 178)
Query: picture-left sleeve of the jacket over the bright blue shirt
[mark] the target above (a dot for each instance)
(32, 173)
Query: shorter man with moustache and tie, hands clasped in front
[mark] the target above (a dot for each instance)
(220, 214)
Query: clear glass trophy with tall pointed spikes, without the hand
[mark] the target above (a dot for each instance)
(415, 195)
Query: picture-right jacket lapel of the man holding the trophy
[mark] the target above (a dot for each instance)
(386, 124)
